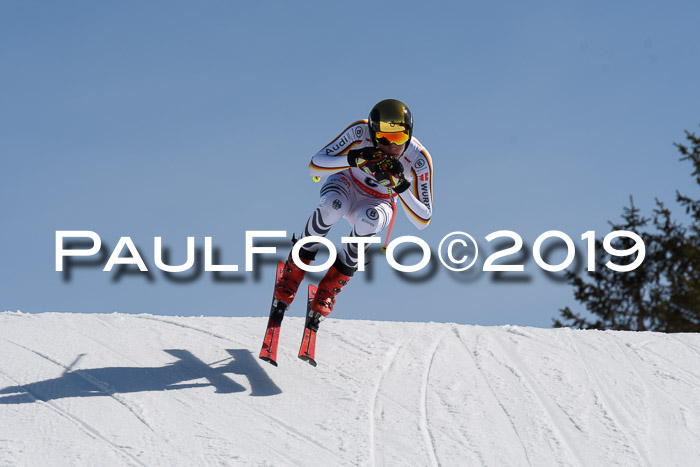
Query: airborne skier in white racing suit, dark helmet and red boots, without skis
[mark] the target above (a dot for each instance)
(369, 165)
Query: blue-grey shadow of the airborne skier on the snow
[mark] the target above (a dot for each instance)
(177, 375)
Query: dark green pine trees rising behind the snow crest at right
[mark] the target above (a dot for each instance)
(663, 293)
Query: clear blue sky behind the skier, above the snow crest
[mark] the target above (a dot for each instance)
(171, 119)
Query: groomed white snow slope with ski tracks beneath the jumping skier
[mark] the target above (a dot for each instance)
(152, 390)
